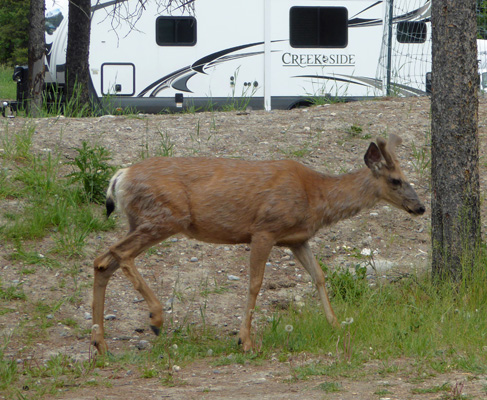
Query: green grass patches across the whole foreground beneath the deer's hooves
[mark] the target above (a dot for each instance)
(438, 328)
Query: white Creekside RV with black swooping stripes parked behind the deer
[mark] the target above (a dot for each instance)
(264, 53)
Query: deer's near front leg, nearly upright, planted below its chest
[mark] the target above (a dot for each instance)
(260, 249)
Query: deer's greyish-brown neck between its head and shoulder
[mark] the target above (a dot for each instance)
(343, 196)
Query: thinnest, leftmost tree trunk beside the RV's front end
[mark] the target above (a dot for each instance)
(37, 48)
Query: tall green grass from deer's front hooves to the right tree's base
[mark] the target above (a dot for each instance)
(438, 324)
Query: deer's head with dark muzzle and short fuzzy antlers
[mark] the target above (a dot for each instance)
(395, 189)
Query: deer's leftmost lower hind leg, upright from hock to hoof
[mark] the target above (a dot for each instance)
(104, 267)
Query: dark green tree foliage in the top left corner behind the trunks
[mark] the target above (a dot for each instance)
(14, 26)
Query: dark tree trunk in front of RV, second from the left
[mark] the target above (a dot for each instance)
(77, 55)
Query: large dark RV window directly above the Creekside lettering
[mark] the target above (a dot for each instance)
(318, 27)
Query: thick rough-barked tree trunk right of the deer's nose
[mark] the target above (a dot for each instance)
(455, 200)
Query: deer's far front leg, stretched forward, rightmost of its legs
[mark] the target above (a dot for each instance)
(305, 256)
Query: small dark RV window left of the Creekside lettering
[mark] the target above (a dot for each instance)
(176, 31)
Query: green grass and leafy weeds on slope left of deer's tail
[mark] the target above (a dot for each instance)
(48, 202)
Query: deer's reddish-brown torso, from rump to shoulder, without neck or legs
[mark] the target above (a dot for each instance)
(219, 200)
